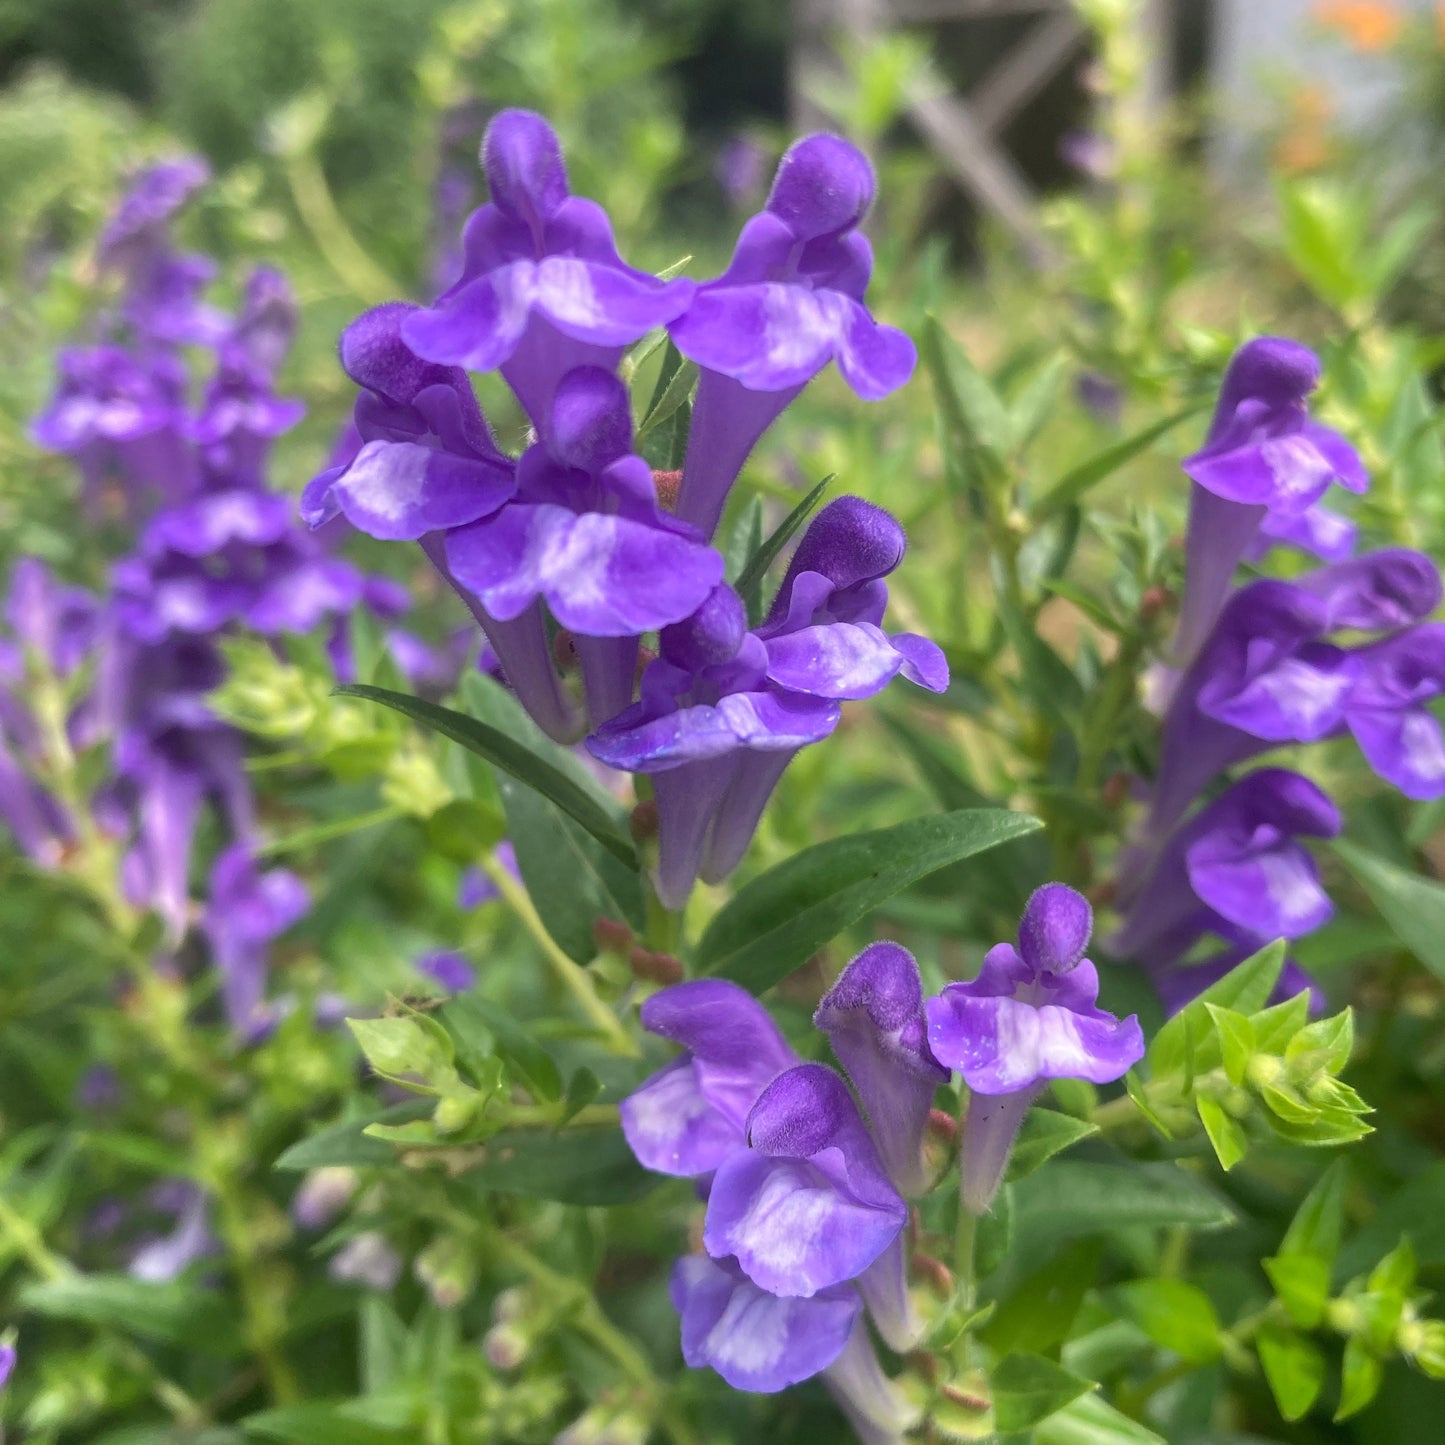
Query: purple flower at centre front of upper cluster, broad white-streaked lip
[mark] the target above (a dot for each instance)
(586, 537)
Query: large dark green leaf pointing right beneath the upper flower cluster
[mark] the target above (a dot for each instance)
(778, 921)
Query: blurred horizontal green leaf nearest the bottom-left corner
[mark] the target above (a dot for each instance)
(173, 1313)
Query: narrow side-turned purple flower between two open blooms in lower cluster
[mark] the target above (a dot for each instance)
(874, 1017)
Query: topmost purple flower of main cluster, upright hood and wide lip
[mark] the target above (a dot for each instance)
(543, 288)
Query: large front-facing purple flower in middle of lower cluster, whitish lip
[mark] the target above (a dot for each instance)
(808, 1204)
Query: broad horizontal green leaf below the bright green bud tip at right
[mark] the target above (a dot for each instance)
(1076, 1197)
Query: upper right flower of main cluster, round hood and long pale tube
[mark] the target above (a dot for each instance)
(790, 303)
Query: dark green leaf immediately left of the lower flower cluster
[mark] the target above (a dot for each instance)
(573, 1167)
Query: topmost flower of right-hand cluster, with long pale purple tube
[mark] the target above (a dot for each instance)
(1264, 457)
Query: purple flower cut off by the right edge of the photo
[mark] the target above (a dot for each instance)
(1389, 715)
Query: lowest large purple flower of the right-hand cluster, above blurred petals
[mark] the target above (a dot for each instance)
(1235, 869)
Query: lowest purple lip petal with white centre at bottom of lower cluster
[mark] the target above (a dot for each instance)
(755, 1340)
